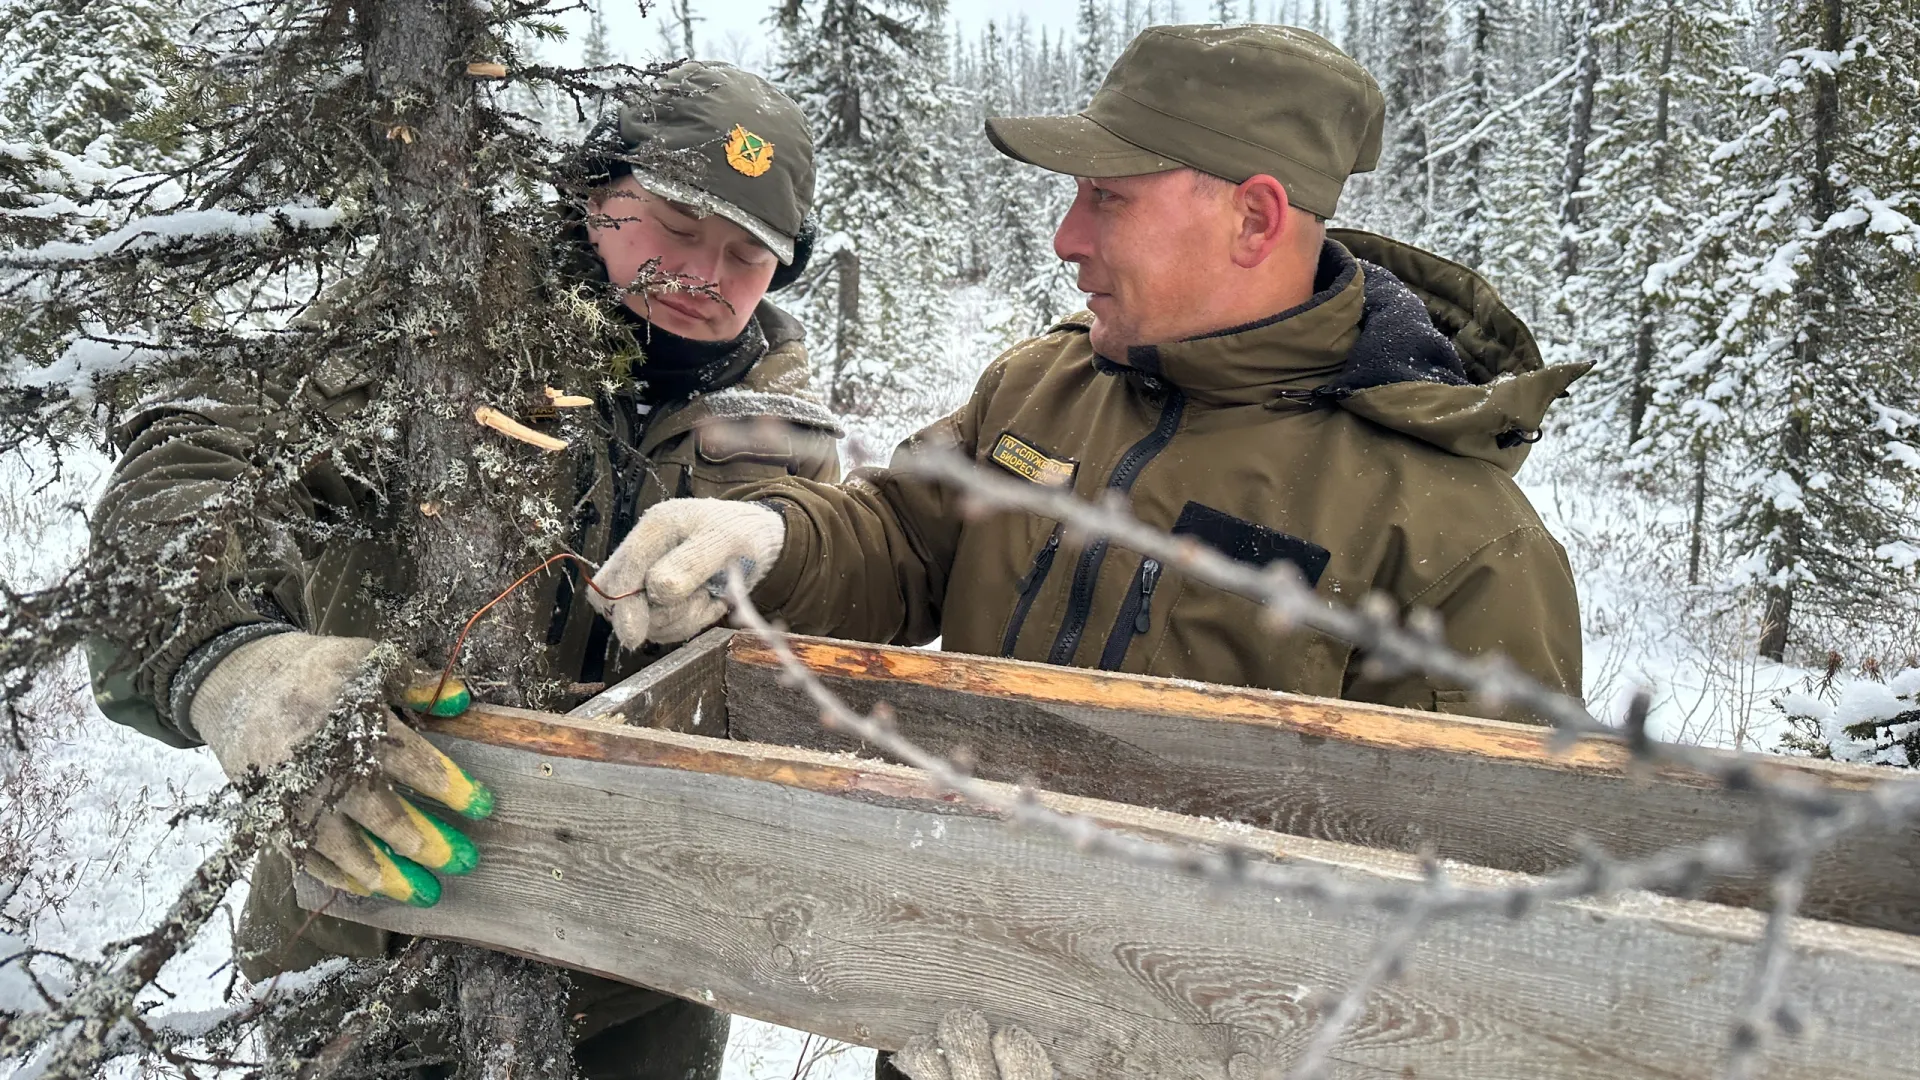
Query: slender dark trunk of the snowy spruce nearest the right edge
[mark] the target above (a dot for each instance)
(1817, 295)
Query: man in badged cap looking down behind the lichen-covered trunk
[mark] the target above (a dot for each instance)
(698, 207)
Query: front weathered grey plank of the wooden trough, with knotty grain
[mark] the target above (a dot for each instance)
(850, 898)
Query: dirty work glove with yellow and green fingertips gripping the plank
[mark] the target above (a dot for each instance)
(268, 697)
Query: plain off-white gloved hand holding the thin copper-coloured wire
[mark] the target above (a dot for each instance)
(679, 554)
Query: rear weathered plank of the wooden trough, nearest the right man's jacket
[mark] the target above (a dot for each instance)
(1483, 793)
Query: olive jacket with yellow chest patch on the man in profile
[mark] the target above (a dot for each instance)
(1370, 437)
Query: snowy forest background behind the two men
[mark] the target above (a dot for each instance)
(1716, 201)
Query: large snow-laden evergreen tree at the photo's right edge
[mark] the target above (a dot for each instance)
(1813, 255)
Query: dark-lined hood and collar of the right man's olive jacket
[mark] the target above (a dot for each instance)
(1401, 337)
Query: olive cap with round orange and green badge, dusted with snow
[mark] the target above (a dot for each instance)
(734, 147)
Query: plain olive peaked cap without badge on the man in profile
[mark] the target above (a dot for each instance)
(1228, 101)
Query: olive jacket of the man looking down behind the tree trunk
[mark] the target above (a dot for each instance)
(189, 451)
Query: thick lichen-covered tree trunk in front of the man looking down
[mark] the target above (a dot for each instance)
(462, 541)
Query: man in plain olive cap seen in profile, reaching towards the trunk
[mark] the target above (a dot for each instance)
(1243, 376)
